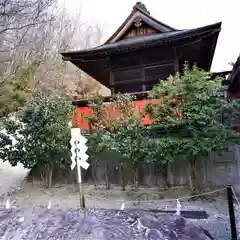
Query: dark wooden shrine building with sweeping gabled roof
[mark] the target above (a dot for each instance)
(142, 51)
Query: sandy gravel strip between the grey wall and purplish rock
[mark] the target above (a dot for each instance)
(65, 197)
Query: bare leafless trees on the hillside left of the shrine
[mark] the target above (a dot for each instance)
(29, 49)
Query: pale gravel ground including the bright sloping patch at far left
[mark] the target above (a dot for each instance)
(66, 196)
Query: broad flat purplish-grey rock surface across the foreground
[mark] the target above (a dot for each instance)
(98, 225)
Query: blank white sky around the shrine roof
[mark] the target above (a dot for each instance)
(180, 14)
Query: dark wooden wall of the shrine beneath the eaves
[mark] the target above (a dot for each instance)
(141, 70)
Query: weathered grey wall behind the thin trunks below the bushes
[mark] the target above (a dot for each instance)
(216, 171)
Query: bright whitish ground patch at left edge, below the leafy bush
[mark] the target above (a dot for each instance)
(11, 178)
